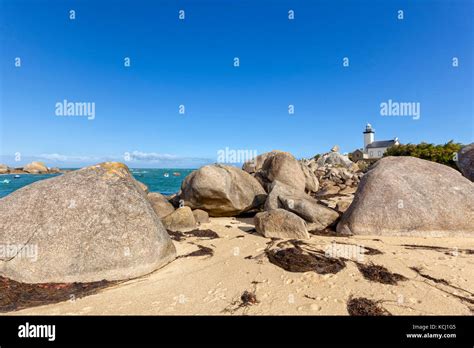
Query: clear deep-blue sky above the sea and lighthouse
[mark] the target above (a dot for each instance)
(190, 62)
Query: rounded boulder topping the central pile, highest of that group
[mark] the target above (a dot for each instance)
(282, 166)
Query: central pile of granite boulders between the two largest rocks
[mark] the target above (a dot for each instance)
(274, 185)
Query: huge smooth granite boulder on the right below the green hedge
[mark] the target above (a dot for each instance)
(412, 197)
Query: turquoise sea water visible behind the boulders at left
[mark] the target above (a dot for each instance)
(164, 181)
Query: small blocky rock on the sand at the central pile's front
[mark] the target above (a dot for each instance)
(280, 223)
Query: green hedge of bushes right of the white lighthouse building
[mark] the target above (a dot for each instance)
(444, 154)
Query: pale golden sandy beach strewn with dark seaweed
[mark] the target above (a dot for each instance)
(213, 285)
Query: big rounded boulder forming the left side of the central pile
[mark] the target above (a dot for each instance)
(222, 190)
